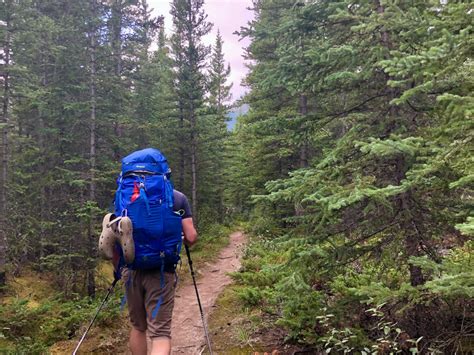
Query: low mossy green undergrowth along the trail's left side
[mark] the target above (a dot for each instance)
(32, 326)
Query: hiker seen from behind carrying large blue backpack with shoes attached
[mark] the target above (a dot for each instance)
(145, 195)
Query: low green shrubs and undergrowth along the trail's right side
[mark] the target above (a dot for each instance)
(353, 308)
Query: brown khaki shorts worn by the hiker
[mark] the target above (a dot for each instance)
(143, 290)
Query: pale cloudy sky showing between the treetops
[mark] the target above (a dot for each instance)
(228, 16)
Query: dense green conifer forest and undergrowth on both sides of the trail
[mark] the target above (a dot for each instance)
(352, 173)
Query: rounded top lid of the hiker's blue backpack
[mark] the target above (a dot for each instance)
(146, 160)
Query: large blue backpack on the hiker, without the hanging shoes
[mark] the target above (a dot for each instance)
(145, 194)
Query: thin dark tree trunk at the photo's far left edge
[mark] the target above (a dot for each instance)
(4, 151)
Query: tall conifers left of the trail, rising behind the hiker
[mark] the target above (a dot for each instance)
(86, 88)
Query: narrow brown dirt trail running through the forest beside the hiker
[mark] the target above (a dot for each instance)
(187, 330)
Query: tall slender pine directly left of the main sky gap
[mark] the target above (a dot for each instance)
(190, 25)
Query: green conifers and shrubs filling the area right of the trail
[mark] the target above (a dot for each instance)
(359, 140)
